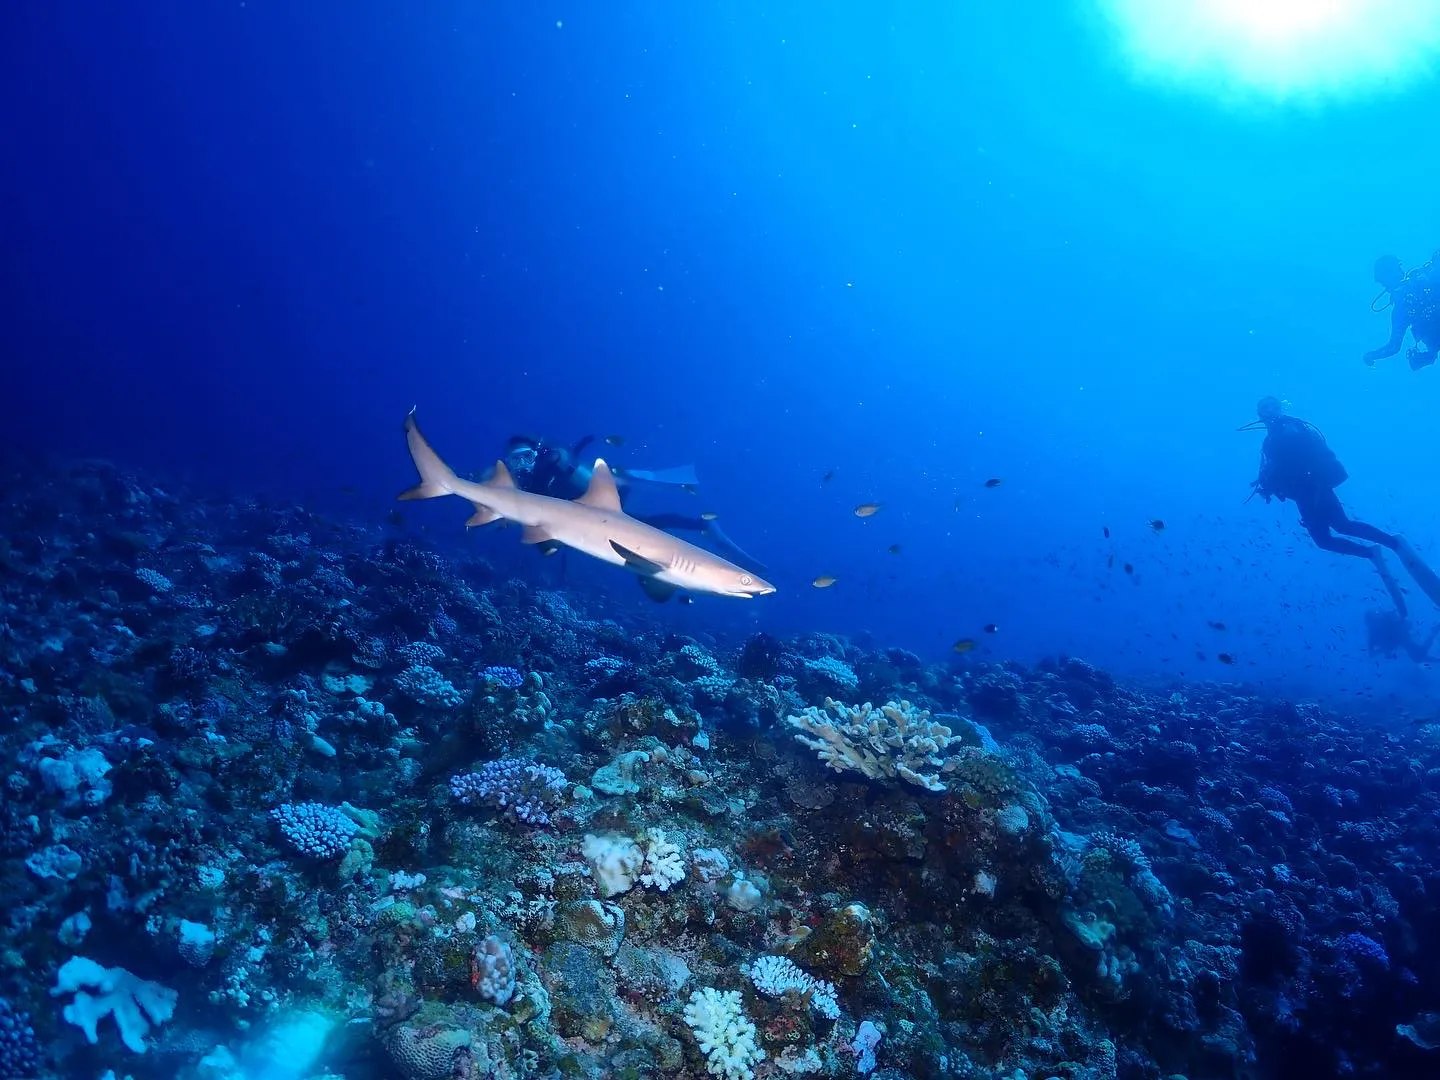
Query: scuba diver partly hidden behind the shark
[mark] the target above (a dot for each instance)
(562, 473)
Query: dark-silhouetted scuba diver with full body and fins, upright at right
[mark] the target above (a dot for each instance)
(1297, 464)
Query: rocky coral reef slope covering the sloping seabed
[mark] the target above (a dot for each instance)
(319, 794)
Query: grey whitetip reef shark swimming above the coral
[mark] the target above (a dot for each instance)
(593, 525)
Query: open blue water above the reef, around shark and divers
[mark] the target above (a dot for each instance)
(922, 250)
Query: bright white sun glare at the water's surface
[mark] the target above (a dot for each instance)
(1279, 50)
